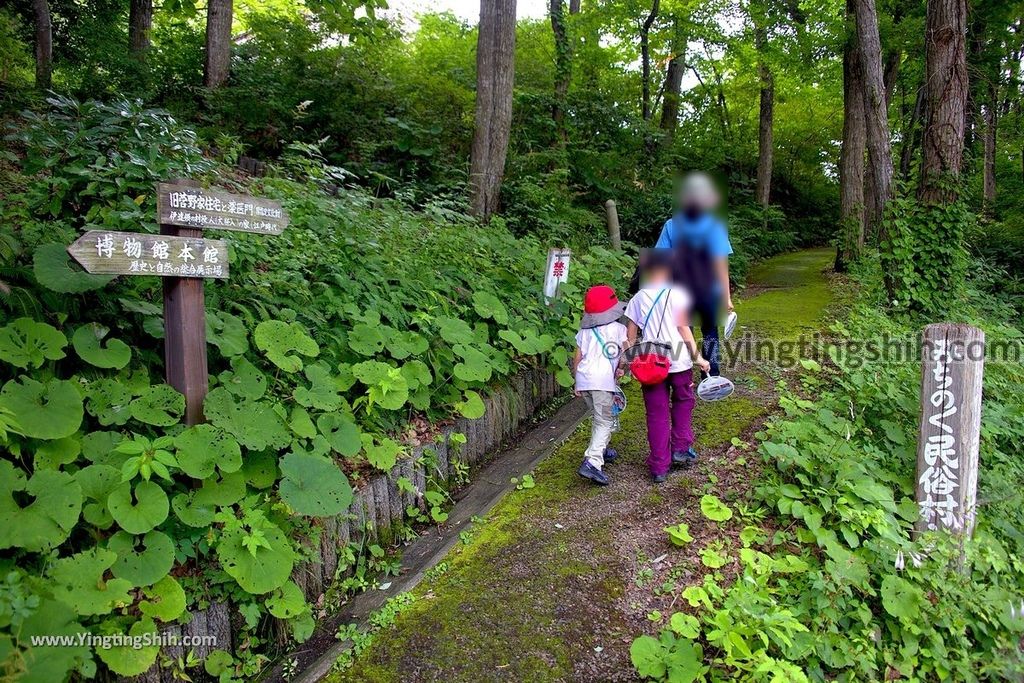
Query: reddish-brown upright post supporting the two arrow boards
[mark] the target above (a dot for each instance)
(185, 335)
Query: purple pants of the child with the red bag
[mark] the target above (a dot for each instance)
(670, 412)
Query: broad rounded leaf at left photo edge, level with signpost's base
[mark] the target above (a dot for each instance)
(44, 411)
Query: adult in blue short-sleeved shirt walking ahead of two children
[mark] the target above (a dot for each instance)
(702, 244)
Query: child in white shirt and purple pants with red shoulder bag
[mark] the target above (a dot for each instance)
(664, 353)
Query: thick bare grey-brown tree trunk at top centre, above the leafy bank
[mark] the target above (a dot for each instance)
(495, 76)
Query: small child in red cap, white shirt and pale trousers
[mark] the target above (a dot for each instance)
(600, 344)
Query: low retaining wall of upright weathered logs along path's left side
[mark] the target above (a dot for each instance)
(379, 507)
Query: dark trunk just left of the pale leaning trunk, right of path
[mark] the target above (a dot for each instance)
(851, 160)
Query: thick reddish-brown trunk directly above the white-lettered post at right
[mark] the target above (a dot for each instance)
(946, 72)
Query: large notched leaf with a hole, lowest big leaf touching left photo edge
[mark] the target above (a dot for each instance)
(49, 520)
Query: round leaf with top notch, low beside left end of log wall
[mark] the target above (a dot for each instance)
(266, 569)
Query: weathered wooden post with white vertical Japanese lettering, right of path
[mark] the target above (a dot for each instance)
(953, 364)
